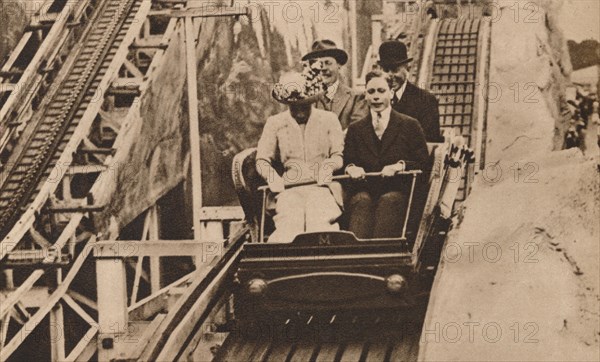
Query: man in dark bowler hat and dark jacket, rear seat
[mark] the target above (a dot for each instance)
(408, 98)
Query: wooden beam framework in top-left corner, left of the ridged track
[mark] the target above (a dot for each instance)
(34, 63)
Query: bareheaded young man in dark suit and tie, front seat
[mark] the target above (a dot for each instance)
(388, 142)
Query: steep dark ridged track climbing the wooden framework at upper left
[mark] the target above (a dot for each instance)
(68, 101)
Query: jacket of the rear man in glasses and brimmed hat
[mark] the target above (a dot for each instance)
(347, 104)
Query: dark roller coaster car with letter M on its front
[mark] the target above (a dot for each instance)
(334, 271)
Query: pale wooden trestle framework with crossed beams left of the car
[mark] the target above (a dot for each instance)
(134, 56)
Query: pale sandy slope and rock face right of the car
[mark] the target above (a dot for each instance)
(519, 278)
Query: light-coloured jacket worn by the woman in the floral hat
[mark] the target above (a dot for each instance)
(302, 155)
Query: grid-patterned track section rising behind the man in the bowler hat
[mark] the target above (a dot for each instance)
(456, 73)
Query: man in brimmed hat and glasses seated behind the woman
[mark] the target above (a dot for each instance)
(340, 99)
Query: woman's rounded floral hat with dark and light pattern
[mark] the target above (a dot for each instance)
(296, 88)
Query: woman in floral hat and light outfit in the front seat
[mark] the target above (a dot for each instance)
(309, 143)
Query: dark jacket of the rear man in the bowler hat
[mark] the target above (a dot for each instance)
(422, 106)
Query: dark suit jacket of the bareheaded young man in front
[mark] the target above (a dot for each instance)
(403, 139)
